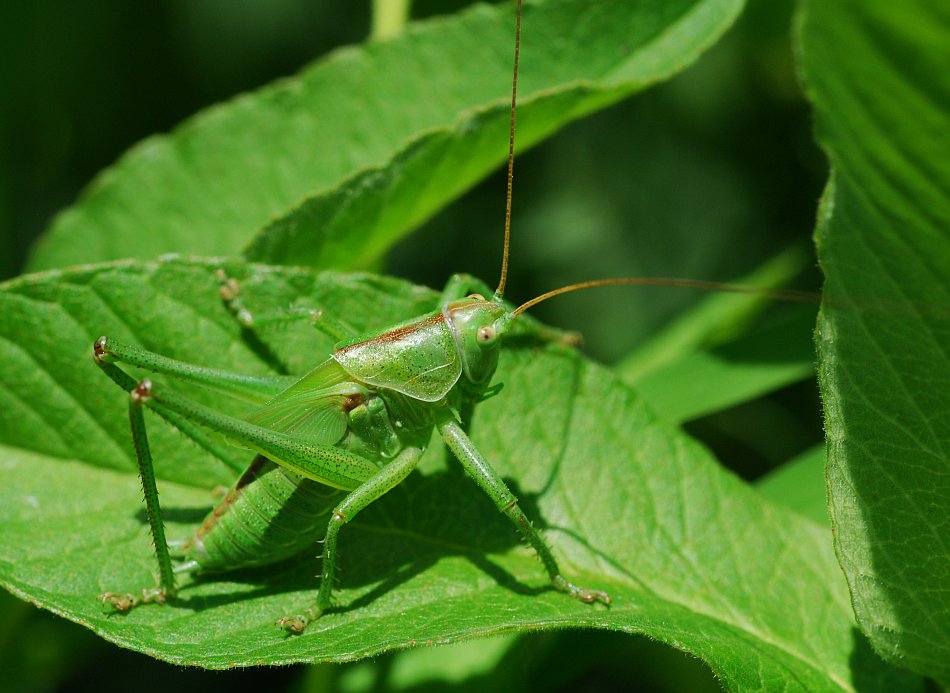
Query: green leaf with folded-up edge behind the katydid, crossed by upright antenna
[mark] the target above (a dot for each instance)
(379, 136)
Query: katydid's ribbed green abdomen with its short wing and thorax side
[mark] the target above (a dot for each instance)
(273, 513)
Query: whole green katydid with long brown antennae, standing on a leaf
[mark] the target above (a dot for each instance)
(357, 423)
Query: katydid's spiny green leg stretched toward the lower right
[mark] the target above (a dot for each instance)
(487, 478)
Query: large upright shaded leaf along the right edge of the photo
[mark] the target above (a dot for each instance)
(876, 73)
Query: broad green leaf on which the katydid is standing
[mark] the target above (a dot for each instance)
(691, 555)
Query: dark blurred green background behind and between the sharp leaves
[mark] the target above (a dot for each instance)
(705, 176)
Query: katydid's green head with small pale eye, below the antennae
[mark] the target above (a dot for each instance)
(477, 325)
